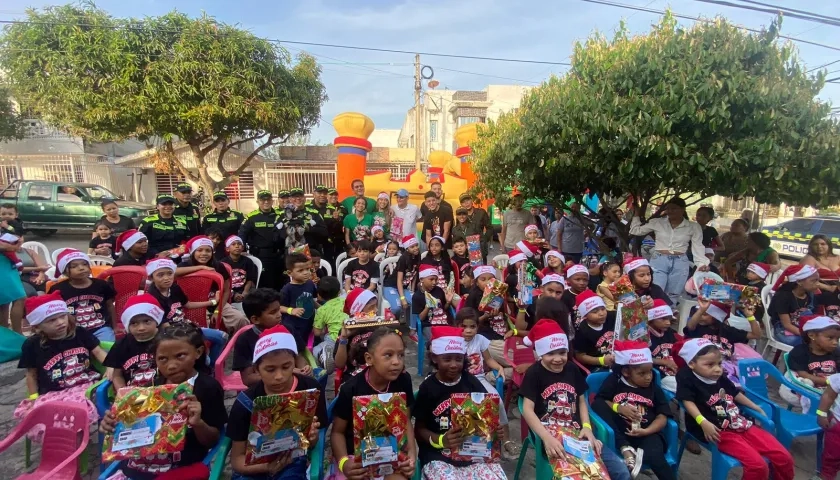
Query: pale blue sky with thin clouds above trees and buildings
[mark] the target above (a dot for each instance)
(381, 85)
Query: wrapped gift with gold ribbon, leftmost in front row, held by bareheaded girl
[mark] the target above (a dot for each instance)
(148, 422)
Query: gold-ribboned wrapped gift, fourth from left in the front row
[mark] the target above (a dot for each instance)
(478, 416)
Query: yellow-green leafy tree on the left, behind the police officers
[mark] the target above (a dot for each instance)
(216, 88)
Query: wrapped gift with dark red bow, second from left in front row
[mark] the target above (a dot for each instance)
(280, 423)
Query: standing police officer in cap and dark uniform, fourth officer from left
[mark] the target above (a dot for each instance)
(263, 234)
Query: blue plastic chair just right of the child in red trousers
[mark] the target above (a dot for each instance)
(789, 424)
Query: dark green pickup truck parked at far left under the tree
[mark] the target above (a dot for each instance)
(45, 207)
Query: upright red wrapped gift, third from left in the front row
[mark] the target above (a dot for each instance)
(380, 423)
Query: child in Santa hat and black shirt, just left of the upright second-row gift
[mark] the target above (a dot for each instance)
(593, 341)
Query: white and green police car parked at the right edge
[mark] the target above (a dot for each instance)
(790, 239)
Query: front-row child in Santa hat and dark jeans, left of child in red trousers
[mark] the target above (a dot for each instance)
(636, 409)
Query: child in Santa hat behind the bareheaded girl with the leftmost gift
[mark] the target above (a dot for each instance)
(133, 356)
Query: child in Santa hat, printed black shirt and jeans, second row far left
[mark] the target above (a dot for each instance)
(90, 300)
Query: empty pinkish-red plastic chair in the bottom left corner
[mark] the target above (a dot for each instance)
(61, 448)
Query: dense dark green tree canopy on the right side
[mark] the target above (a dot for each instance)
(706, 110)
